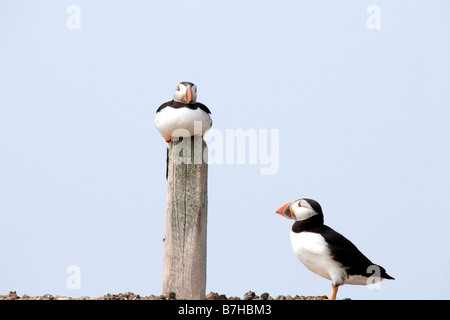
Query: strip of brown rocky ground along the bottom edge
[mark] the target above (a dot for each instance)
(131, 296)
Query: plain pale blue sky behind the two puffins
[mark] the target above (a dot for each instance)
(363, 118)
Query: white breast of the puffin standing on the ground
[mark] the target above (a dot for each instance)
(312, 250)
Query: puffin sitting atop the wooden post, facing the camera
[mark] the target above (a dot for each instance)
(183, 116)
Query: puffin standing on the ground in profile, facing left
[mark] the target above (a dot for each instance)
(325, 251)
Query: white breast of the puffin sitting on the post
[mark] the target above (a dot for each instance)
(182, 122)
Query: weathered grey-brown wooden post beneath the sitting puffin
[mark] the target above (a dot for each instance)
(184, 269)
